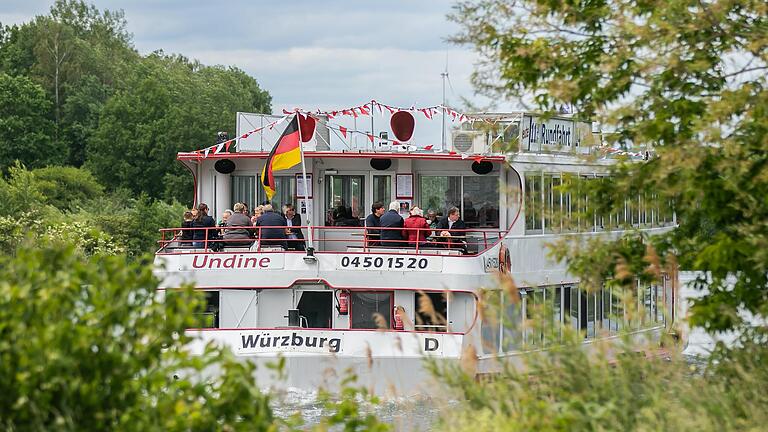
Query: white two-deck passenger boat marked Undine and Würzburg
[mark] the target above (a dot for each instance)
(336, 307)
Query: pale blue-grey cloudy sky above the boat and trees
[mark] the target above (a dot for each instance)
(308, 54)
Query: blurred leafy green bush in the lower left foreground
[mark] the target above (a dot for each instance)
(91, 345)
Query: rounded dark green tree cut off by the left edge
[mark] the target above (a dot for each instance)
(25, 131)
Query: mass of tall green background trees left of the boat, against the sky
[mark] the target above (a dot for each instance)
(88, 98)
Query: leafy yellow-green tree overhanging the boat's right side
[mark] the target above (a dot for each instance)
(687, 80)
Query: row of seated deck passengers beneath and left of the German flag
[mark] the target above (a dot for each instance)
(238, 228)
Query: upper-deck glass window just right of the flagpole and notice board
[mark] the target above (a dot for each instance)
(345, 198)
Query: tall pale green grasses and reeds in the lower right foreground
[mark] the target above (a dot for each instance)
(611, 385)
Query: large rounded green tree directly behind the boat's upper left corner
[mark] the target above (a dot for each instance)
(172, 105)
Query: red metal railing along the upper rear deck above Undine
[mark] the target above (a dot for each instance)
(329, 239)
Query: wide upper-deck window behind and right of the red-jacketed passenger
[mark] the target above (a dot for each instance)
(477, 197)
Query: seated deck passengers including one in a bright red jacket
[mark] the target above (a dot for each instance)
(414, 230)
